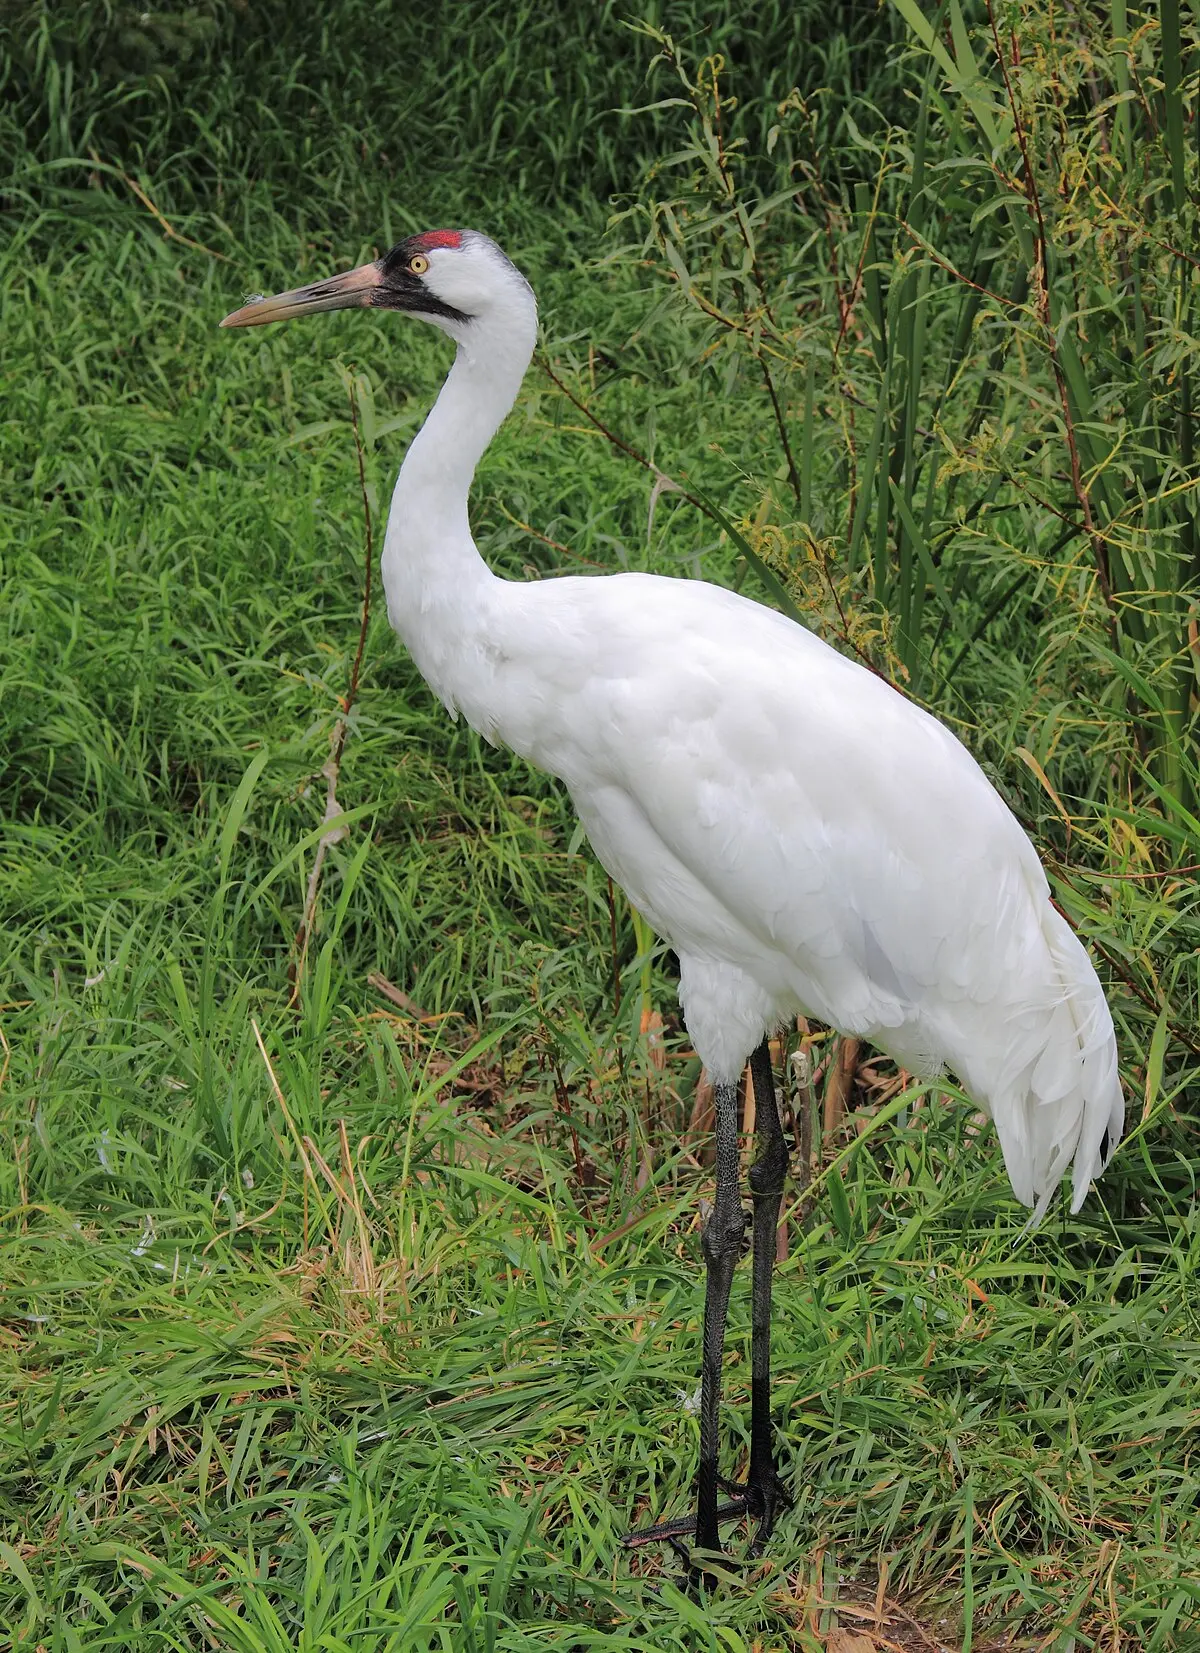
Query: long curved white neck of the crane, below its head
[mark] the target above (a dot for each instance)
(439, 588)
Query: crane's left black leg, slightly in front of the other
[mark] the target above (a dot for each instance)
(721, 1244)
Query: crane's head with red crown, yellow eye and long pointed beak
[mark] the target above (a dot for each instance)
(452, 279)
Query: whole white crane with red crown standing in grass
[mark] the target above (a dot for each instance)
(804, 837)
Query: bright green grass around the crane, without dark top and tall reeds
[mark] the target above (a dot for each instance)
(373, 1323)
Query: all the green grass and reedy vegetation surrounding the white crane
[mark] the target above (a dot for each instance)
(350, 1191)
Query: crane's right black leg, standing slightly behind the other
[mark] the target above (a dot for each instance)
(766, 1492)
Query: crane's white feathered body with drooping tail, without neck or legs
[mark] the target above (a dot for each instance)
(794, 826)
